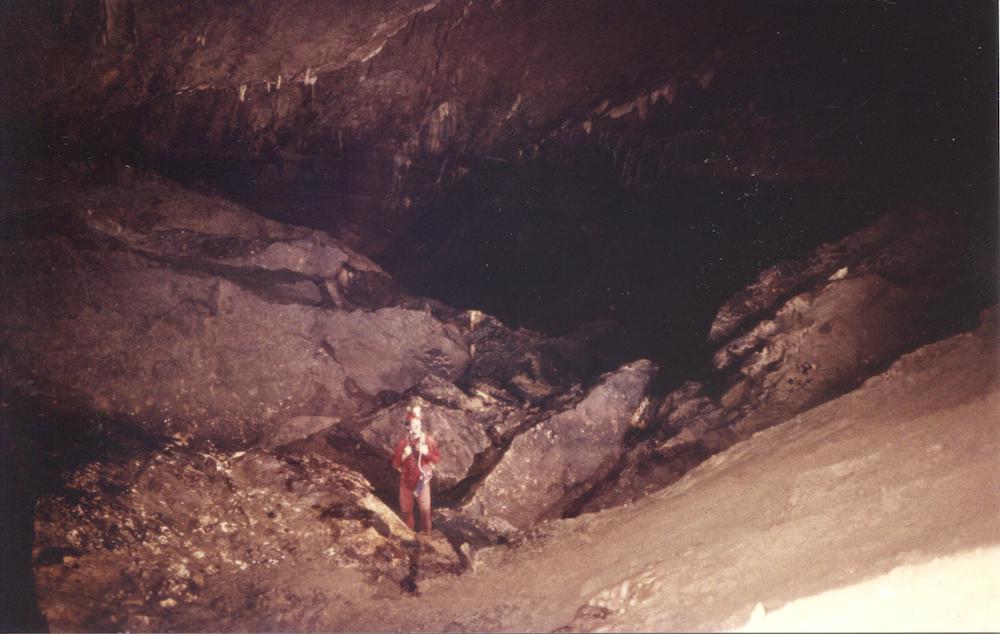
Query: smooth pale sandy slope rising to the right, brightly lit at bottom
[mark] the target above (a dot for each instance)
(879, 510)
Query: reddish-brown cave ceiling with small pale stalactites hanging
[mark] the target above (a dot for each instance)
(381, 106)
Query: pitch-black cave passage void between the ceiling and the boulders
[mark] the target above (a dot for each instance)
(555, 248)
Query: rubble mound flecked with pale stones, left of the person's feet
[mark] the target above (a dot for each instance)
(179, 538)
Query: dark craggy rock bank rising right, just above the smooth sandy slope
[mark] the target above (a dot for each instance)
(854, 306)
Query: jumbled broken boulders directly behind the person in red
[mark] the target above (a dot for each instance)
(507, 389)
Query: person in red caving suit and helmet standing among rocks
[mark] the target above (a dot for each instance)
(414, 457)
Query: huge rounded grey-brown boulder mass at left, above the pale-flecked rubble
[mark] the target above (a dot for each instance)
(187, 314)
